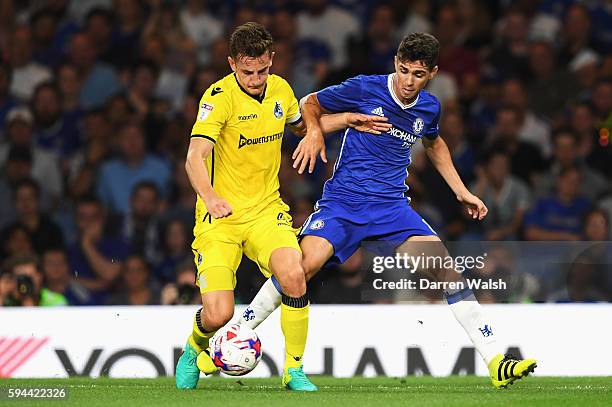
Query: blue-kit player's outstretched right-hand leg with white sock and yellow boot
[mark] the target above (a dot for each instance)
(503, 370)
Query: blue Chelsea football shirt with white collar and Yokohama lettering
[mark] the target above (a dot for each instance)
(373, 167)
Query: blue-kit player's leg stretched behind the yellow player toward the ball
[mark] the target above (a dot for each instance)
(316, 251)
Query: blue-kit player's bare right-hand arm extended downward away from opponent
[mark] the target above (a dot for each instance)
(438, 153)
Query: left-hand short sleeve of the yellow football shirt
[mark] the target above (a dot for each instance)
(213, 112)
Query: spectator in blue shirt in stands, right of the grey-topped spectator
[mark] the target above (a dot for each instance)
(559, 217)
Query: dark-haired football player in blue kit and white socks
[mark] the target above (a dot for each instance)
(366, 197)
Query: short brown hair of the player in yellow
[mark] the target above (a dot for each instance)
(250, 40)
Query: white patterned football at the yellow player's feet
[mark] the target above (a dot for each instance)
(235, 349)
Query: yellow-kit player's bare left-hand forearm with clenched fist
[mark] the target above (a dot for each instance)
(199, 150)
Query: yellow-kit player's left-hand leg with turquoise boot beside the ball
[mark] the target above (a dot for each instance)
(216, 261)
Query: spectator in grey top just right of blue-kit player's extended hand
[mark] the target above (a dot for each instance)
(506, 196)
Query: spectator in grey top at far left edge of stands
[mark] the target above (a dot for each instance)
(45, 165)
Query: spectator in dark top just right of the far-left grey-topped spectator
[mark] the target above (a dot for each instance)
(54, 130)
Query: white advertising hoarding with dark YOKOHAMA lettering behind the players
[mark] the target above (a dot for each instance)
(392, 340)
